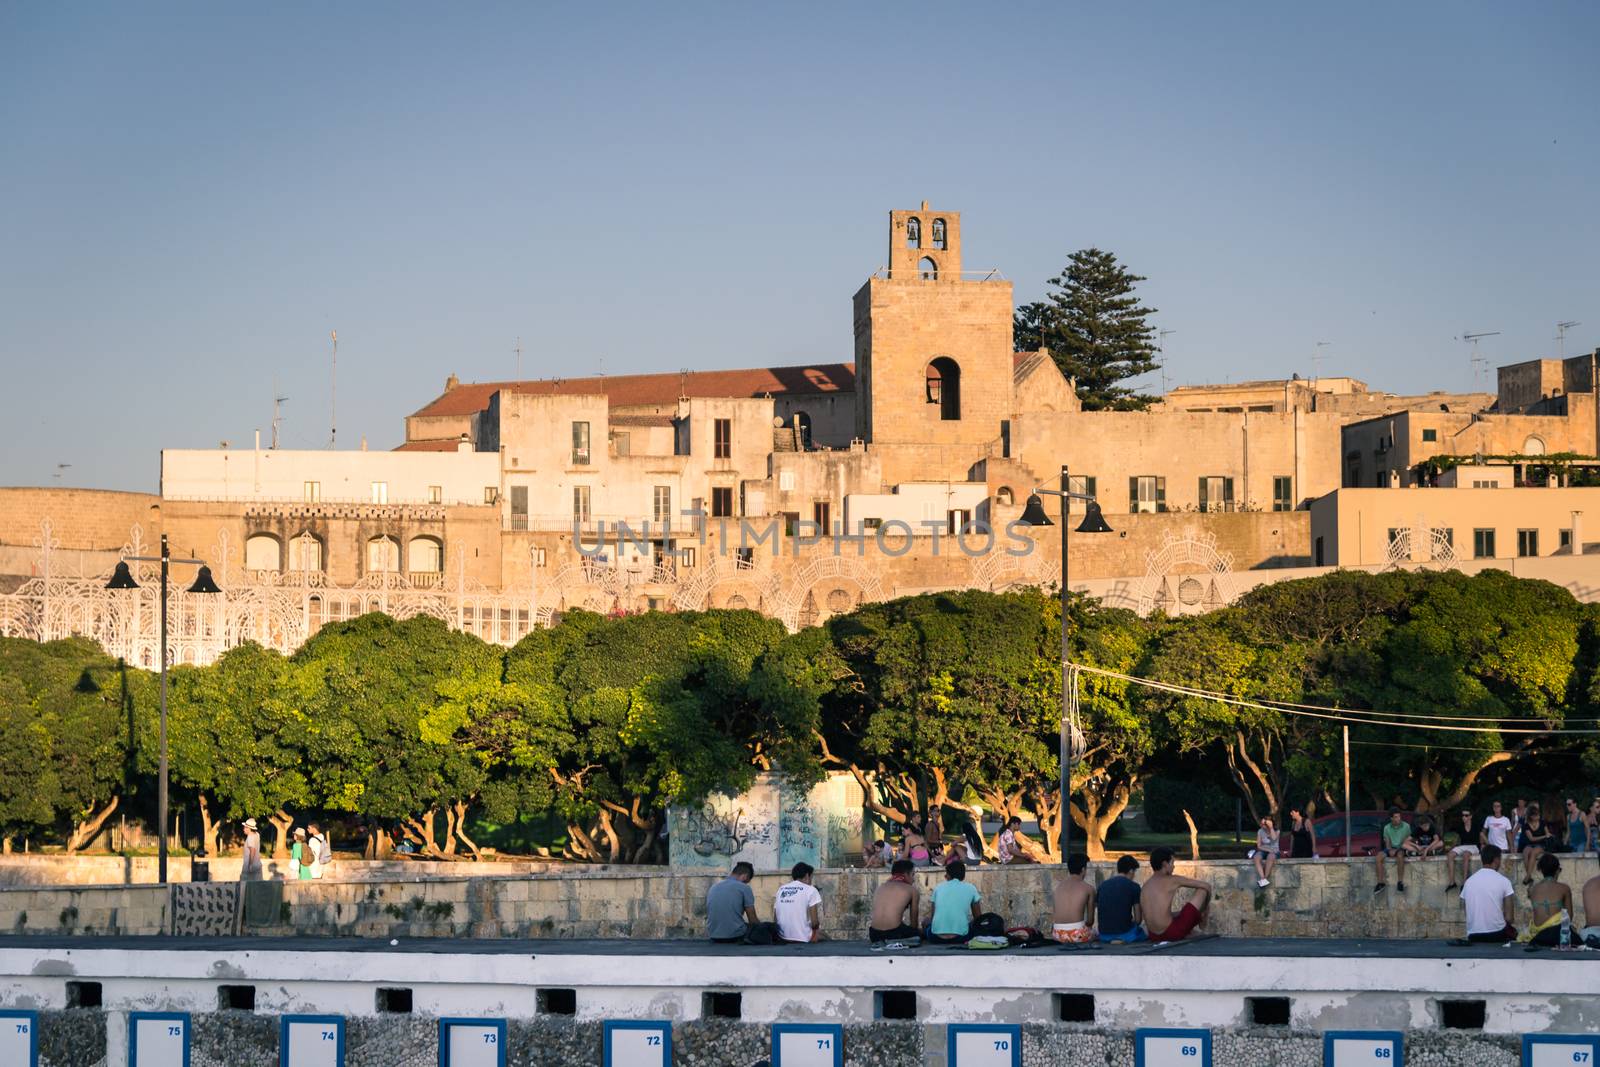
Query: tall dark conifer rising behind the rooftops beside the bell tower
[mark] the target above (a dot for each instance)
(1095, 329)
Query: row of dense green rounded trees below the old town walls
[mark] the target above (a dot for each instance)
(942, 701)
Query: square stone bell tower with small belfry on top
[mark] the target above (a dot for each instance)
(934, 348)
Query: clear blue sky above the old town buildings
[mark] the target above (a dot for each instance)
(190, 201)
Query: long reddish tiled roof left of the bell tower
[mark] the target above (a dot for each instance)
(628, 391)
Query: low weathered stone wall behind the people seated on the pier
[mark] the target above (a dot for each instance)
(1308, 900)
